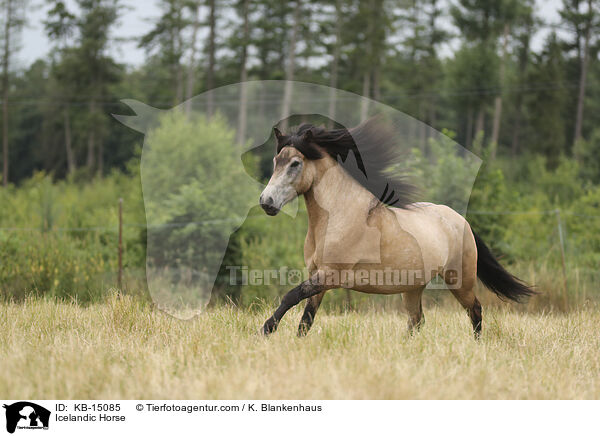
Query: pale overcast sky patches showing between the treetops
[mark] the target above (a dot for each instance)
(137, 20)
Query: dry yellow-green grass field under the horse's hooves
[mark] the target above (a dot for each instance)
(125, 349)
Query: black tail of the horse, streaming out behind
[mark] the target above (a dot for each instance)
(496, 278)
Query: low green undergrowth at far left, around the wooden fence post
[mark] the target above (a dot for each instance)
(60, 239)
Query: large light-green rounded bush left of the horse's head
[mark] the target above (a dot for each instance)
(195, 188)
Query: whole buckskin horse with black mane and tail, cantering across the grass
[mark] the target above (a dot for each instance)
(364, 227)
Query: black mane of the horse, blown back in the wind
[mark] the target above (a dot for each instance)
(376, 154)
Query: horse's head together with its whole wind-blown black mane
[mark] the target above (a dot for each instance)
(296, 162)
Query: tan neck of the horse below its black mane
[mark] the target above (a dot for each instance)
(336, 199)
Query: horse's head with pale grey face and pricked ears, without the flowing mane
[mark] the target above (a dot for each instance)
(293, 172)
